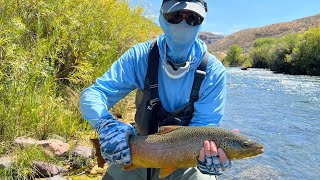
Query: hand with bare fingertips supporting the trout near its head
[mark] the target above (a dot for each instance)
(212, 160)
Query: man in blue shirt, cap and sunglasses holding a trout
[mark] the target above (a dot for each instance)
(178, 82)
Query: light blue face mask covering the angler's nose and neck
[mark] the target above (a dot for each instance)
(179, 39)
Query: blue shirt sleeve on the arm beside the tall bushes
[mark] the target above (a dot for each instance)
(125, 75)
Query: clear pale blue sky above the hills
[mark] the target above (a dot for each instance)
(229, 16)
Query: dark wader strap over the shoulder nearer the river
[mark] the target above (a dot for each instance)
(199, 76)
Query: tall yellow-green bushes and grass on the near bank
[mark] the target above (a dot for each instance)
(50, 50)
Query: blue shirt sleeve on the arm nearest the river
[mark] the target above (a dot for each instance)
(209, 109)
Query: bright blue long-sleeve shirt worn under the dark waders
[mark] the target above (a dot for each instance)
(129, 72)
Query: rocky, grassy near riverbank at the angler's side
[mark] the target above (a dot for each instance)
(60, 158)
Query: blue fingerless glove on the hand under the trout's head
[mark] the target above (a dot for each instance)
(212, 165)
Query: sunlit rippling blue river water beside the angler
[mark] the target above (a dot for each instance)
(283, 113)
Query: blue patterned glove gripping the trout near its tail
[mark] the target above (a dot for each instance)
(113, 140)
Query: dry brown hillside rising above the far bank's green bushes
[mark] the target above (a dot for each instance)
(246, 38)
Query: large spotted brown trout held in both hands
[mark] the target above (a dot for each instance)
(179, 146)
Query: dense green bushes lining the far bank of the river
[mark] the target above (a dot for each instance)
(295, 54)
